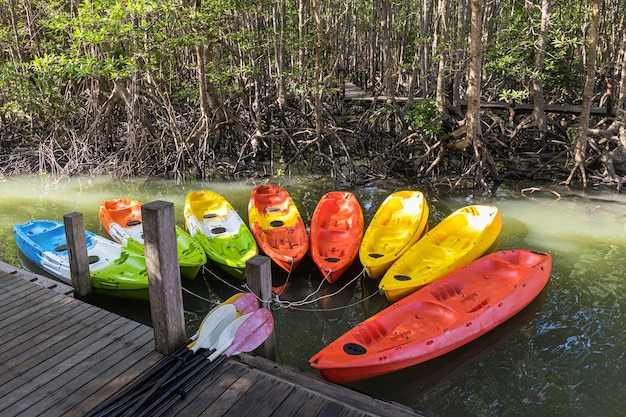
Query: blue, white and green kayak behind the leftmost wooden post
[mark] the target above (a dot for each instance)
(114, 271)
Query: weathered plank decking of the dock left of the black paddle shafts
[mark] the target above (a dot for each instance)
(57, 356)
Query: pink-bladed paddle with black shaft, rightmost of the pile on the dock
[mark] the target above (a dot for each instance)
(249, 335)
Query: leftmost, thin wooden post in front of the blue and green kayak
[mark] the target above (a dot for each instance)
(77, 253)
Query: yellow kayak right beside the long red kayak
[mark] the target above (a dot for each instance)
(456, 241)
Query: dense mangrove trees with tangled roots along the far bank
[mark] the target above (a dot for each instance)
(240, 88)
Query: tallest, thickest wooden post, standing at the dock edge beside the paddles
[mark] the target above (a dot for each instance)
(166, 298)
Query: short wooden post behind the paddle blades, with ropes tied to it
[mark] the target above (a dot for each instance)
(259, 280)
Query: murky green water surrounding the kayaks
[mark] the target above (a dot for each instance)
(562, 356)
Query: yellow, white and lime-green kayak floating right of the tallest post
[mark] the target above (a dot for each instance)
(221, 232)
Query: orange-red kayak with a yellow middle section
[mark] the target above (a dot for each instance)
(277, 226)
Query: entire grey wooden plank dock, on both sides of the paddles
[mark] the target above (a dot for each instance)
(62, 357)
